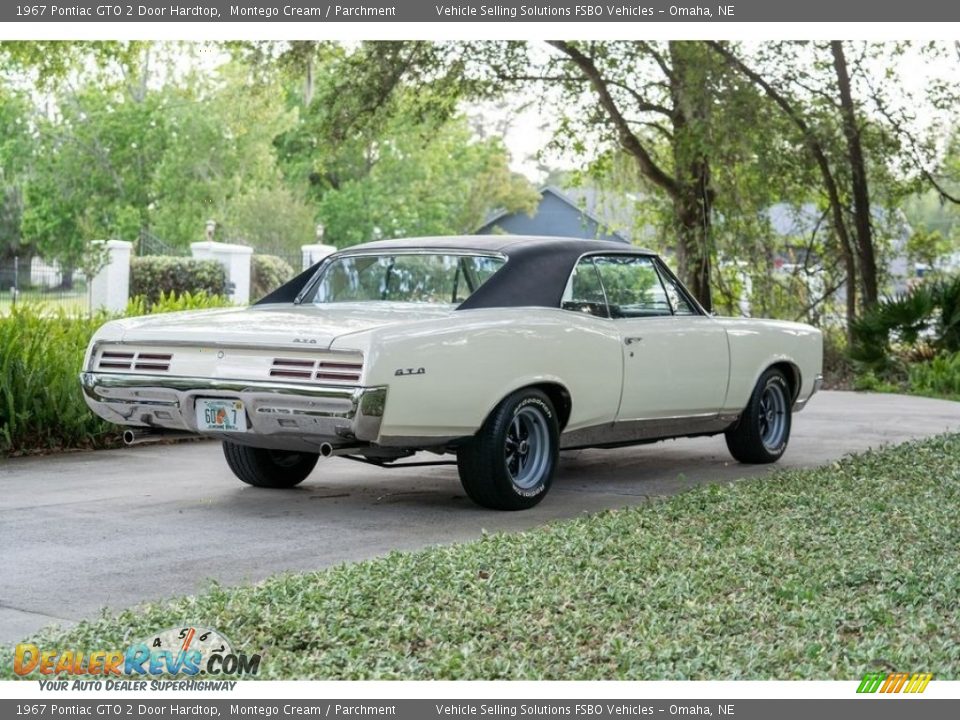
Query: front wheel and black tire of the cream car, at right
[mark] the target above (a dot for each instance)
(763, 431)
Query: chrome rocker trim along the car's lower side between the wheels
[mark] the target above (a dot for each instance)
(638, 431)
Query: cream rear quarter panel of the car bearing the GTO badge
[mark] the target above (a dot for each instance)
(474, 358)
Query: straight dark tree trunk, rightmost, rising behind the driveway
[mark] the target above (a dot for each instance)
(858, 179)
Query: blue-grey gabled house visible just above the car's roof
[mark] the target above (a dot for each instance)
(558, 214)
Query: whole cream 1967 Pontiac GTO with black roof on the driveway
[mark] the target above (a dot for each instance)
(500, 350)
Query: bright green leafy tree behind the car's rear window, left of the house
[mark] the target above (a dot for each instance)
(383, 151)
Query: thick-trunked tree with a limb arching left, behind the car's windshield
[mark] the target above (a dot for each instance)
(655, 102)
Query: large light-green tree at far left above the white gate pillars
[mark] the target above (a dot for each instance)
(144, 147)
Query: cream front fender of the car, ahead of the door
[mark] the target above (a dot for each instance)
(755, 345)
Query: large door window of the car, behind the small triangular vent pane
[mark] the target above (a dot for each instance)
(633, 287)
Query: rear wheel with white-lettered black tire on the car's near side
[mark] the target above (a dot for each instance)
(510, 463)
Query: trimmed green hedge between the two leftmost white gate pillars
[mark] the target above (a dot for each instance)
(152, 275)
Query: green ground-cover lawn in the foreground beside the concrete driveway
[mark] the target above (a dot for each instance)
(822, 574)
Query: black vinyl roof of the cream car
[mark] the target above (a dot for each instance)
(535, 274)
